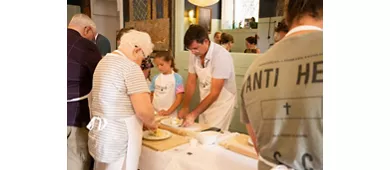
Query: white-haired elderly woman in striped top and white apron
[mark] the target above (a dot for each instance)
(120, 105)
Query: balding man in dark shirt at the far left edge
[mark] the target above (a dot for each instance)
(83, 56)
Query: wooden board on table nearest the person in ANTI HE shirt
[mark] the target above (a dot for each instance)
(239, 144)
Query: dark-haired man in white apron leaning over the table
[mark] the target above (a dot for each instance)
(213, 66)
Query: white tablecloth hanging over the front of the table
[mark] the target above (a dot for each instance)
(195, 157)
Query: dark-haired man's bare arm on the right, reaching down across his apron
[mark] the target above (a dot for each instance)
(216, 88)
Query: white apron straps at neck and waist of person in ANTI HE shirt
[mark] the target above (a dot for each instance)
(294, 30)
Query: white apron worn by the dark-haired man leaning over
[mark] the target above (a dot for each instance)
(220, 113)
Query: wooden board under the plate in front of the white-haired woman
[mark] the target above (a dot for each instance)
(166, 144)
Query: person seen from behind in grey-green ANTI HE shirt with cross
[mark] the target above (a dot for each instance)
(282, 94)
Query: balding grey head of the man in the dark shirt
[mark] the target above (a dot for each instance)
(84, 25)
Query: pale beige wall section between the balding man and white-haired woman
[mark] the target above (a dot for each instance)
(106, 17)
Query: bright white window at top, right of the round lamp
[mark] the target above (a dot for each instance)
(236, 13)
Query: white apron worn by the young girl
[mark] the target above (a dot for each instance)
(164, 94)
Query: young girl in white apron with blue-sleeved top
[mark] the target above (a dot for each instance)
(167, 87)
